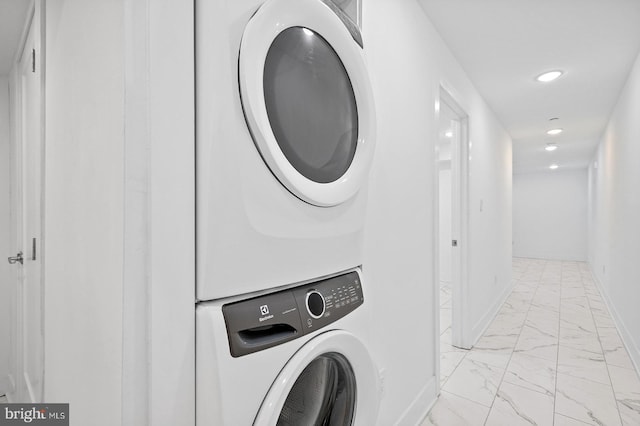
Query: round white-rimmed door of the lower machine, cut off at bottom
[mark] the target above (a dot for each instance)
(331, 380)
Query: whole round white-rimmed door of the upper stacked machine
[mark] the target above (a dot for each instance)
(307, 99)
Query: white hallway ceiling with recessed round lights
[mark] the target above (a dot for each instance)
(504, 44)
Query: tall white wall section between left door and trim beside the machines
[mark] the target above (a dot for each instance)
(83, 224)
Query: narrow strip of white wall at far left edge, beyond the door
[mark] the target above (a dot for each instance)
(5, 235)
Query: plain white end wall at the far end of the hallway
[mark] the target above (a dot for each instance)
(550, 215)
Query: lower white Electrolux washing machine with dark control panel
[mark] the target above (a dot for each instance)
(294, 357)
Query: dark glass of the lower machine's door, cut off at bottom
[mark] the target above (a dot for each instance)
(324, 394)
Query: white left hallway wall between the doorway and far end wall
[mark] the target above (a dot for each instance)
(490, 214)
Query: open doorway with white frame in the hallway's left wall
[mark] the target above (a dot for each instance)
(451, 223)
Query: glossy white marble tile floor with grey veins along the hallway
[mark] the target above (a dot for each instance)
(552, 356)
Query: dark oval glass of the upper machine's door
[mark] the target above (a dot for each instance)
(310, 104)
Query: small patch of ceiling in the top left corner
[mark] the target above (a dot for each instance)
(12, 19)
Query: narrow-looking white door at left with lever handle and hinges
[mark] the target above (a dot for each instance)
(26, 208)
